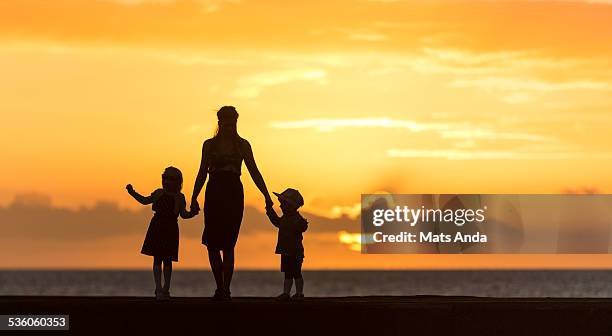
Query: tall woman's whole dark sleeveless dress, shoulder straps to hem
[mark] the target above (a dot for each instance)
(223, 200)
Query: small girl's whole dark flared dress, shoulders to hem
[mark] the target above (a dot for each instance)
(162, 237)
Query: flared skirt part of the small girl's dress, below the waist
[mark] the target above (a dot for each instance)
(162, 238)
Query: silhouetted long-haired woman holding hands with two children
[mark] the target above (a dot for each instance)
(222, 157)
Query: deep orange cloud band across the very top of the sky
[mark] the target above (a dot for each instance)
(568, 27)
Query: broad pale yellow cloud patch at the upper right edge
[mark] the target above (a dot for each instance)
(515, 76)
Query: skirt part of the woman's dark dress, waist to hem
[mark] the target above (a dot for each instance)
(223, 208)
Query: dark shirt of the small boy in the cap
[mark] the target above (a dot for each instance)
(290, 229)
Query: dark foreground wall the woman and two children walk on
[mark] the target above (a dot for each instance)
(322, 316)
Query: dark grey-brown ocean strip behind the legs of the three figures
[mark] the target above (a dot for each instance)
(317, 283)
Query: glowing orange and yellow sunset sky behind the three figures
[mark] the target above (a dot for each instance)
(338, 98)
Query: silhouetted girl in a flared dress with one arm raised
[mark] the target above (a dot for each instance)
(162, 237)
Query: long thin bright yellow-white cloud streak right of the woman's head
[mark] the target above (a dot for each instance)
(446, 130)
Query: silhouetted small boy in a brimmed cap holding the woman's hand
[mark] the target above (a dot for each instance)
(289, 245)
